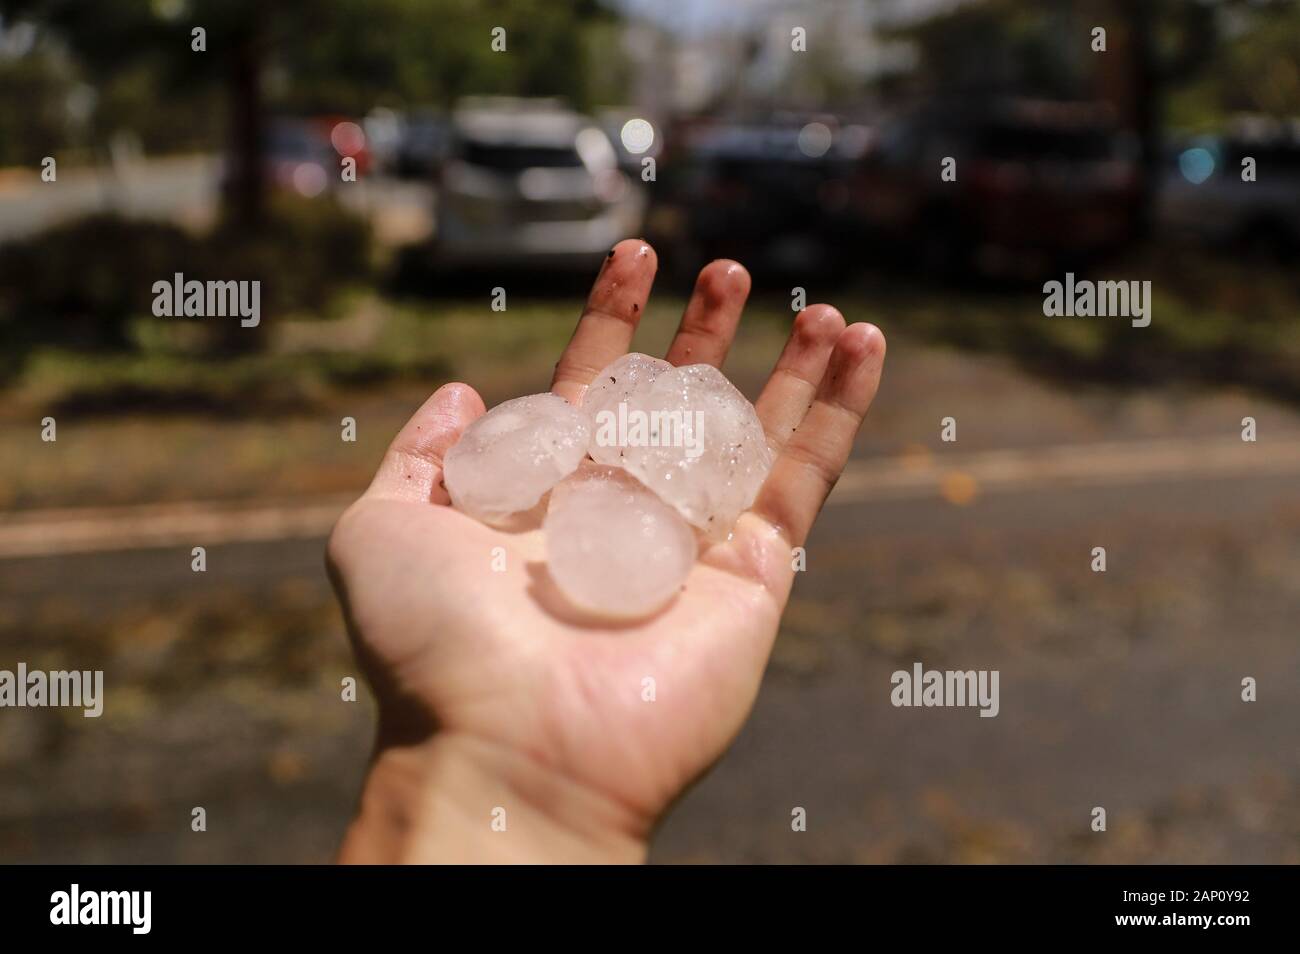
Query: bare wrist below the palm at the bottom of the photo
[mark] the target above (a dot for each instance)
(458, 800)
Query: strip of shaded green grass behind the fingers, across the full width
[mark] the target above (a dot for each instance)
(1212, 322)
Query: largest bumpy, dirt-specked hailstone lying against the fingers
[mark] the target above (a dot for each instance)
(690, 436)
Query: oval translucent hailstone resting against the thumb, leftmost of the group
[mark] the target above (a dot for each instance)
(514, 454)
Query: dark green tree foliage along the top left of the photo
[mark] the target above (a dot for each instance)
(319, 57)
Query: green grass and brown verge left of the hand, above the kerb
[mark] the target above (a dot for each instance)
(172, 424)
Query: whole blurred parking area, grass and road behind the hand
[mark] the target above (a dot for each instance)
(697, 125)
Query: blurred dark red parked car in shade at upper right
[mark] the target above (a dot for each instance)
(1034, 184)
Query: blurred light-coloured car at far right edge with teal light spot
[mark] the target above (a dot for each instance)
(1206, 198)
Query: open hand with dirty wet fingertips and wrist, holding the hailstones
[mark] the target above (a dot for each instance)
(493, 695)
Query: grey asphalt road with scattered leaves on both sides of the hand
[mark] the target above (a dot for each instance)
(1119, 690)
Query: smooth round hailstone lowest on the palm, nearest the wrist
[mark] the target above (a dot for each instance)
(614, 548)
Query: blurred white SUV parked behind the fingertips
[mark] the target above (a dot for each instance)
(531, 183)
